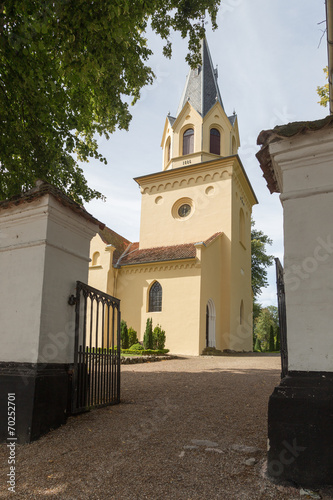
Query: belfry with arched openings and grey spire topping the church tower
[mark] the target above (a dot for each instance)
(201, 130)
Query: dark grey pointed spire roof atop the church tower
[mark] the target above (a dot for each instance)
(201, 88)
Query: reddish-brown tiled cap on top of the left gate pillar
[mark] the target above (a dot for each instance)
(43, 188)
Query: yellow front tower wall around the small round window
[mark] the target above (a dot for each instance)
(206, 186)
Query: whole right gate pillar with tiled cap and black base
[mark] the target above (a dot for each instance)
(297, 162)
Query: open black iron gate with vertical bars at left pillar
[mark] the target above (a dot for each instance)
(96, 378)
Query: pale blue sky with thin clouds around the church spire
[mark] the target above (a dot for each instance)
(270, 57)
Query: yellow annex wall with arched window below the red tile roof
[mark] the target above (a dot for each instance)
(180, 302)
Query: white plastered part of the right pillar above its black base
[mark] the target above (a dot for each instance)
(305, 165)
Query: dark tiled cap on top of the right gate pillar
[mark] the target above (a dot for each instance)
(283, 132)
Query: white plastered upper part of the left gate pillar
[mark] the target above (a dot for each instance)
(44, 250)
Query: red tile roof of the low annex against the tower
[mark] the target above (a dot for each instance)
(160, 254)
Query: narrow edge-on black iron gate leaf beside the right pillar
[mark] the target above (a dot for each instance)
(282, 317)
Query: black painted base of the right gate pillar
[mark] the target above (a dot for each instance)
(300, 429)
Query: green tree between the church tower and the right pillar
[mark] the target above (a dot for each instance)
(259, 259)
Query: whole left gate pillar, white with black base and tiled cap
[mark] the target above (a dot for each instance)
(44, 248)
